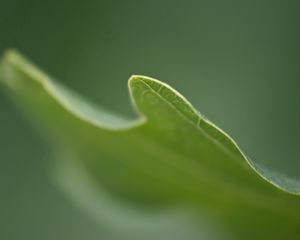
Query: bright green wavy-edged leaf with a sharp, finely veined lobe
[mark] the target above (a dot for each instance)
(169, 157)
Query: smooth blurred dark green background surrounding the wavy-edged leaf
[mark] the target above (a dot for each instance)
(236, 61)
